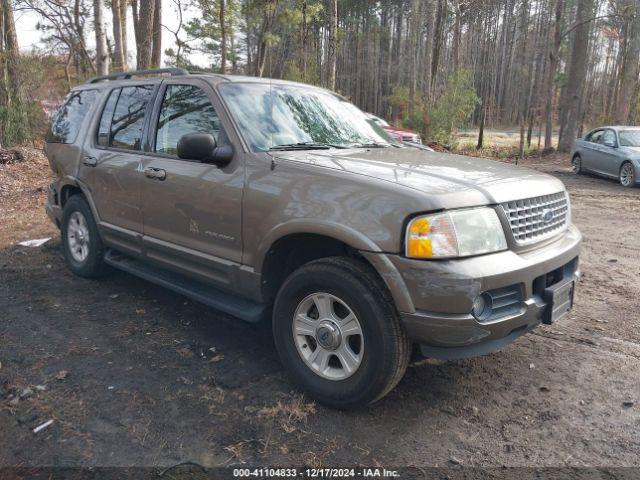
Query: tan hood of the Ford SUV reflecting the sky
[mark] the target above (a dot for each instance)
(459, 180)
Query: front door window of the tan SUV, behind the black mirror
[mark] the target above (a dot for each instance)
(185, 109)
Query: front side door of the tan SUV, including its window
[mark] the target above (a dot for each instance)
(191, 210)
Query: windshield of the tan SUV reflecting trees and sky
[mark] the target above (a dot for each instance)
(283, 116)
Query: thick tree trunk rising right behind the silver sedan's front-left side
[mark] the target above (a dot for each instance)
(577, 74)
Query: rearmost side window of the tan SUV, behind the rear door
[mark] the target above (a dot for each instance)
(69, 119)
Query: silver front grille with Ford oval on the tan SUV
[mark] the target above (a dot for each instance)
(535, 219)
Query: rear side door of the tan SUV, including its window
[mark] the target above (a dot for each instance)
(111, 165)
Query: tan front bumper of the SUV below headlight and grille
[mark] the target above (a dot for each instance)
(442, 294)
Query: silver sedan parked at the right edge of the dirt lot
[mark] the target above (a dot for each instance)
(611, 152)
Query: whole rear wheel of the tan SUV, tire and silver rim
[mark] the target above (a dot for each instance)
(81, 243)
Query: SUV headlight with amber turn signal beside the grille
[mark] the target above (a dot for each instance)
(458, 233)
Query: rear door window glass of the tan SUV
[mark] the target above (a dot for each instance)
(123, 117)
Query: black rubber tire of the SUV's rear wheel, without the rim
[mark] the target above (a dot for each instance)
(93, 265)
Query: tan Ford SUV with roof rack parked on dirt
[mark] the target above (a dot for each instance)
(274, 200)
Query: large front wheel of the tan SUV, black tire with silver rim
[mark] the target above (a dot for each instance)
(350, 287)
